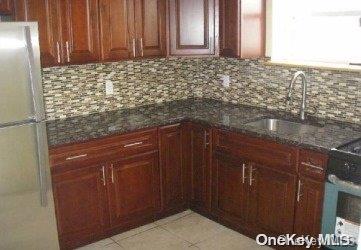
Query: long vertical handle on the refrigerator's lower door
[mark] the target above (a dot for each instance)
(43, 162)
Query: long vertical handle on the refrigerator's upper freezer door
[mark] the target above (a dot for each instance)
(35, 79)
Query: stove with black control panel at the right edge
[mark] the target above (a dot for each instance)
(342, 203)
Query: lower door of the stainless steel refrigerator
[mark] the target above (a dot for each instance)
(27, 215)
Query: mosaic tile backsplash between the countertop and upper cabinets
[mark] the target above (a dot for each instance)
(80, 89)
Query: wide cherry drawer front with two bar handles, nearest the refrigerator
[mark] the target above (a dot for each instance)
(120, 146)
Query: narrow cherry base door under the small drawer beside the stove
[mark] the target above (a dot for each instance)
(309, 207)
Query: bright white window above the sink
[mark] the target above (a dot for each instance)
(314, 31)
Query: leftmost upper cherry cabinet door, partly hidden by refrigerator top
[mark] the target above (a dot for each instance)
(46, 13)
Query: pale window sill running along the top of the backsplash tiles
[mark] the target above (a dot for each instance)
(315, 65)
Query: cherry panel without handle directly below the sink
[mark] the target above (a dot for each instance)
(278, 156)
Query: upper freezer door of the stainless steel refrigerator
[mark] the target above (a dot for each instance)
(21, 97)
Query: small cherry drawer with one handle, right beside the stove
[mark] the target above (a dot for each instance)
(313, 164)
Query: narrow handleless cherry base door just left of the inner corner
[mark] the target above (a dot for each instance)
(173, 170)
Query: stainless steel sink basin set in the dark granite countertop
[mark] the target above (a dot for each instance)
(283, 126)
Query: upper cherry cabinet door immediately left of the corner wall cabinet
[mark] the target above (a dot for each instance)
(150, 26)
